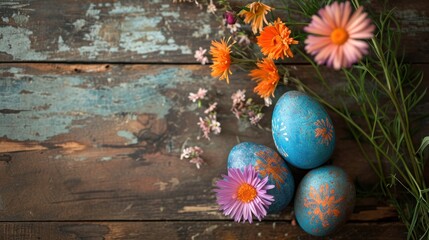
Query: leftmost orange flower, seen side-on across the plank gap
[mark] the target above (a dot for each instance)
(220, 52)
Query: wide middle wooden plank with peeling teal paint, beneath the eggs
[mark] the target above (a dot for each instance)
(78, 140)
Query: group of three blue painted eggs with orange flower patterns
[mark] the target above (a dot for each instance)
(305, 138)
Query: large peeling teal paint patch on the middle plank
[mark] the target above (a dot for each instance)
(55, 101)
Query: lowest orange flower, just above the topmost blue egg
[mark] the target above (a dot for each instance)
(267, 77)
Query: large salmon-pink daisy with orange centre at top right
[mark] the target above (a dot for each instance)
(338, 35)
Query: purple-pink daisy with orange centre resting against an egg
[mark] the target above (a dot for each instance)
(242, 194)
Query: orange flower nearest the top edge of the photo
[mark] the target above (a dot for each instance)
(255, 12)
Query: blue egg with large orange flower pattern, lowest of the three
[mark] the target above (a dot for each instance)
(324, 200)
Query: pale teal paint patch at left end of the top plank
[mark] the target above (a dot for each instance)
(16, 42)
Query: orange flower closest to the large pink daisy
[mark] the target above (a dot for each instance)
(274, 40)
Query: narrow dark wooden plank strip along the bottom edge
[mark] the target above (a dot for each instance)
(190, 230)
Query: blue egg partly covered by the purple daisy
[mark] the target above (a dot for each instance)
(268, 163)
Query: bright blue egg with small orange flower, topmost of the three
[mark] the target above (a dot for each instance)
(302, 130)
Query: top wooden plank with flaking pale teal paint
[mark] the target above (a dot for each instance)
(140, 31)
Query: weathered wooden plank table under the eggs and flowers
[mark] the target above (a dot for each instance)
(94, 111)
